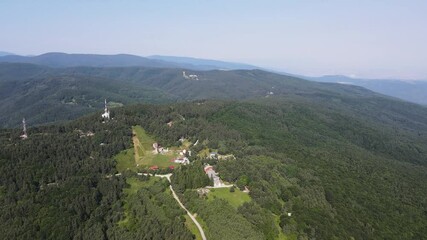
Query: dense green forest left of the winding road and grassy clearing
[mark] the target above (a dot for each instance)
(61, 183)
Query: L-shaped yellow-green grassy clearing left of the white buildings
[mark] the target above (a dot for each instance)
(144, 155)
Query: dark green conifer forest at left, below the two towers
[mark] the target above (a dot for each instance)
(54, 184)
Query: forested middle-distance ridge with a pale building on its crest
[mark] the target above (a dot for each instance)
(45, 95)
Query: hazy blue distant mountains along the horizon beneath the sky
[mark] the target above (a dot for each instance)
(413, 91)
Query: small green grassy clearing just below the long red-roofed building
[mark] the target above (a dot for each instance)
(235, 199)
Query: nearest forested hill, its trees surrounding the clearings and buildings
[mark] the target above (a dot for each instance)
(343, 167)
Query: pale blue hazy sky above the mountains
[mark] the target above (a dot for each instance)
(362, 38)
